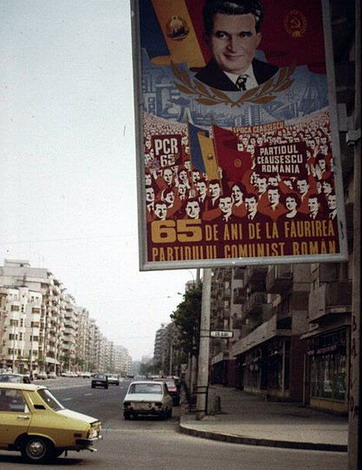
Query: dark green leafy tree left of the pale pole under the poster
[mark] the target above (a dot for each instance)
(187, 319)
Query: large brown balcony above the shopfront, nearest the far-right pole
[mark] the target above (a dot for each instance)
(330, 299)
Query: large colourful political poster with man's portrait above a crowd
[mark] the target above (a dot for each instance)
(238, 159)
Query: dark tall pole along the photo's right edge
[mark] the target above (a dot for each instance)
(355, 398)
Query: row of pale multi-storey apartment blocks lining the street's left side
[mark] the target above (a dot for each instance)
(41, 327)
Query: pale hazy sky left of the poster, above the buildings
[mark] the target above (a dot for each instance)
(68, 163)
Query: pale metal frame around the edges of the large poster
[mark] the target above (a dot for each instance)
(146, 265)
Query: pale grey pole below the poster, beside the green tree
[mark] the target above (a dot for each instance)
(203, 369)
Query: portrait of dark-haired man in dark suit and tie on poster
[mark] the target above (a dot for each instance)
(232, 32)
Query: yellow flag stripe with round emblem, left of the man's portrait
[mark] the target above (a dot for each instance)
(179, 34)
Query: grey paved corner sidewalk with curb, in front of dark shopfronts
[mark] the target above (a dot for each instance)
(248, 419)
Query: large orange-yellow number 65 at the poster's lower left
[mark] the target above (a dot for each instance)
(170, 231)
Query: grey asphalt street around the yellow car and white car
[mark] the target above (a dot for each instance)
(151, 443)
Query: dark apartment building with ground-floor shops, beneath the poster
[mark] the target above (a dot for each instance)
(291, 327)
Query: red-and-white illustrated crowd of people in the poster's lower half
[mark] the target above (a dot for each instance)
(181, 190)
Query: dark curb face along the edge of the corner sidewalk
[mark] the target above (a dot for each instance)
(251, 441)
